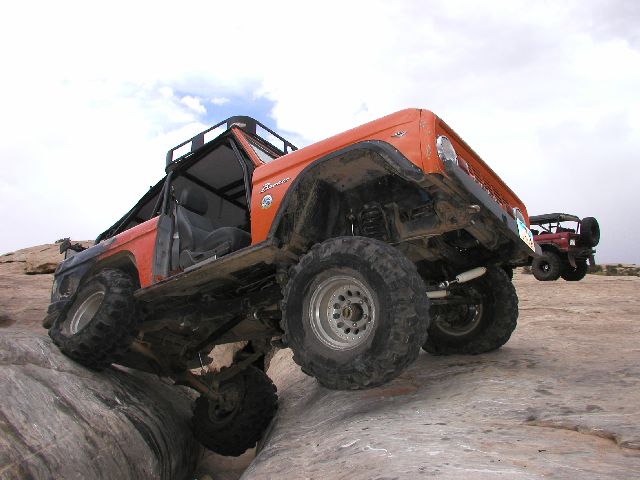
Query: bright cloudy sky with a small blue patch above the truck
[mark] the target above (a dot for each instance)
(93, 94)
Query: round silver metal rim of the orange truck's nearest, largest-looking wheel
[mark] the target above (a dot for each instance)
(342, 312)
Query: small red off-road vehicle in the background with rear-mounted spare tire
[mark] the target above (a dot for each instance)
(567, 243)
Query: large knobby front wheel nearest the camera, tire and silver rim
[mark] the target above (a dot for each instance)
(385, 284)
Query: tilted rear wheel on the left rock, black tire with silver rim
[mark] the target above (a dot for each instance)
(99, 326)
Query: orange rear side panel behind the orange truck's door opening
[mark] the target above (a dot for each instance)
(138, 242)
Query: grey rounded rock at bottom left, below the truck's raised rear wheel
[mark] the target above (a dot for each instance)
(60, 420)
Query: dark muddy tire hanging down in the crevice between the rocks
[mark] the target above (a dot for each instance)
(232, 431)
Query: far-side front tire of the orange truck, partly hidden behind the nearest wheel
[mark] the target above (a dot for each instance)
(481, 326)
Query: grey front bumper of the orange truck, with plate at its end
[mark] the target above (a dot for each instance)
(505, 222)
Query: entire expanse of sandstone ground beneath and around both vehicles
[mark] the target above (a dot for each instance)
(559, 400)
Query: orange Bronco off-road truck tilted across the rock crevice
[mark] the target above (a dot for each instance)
(355, 252)
